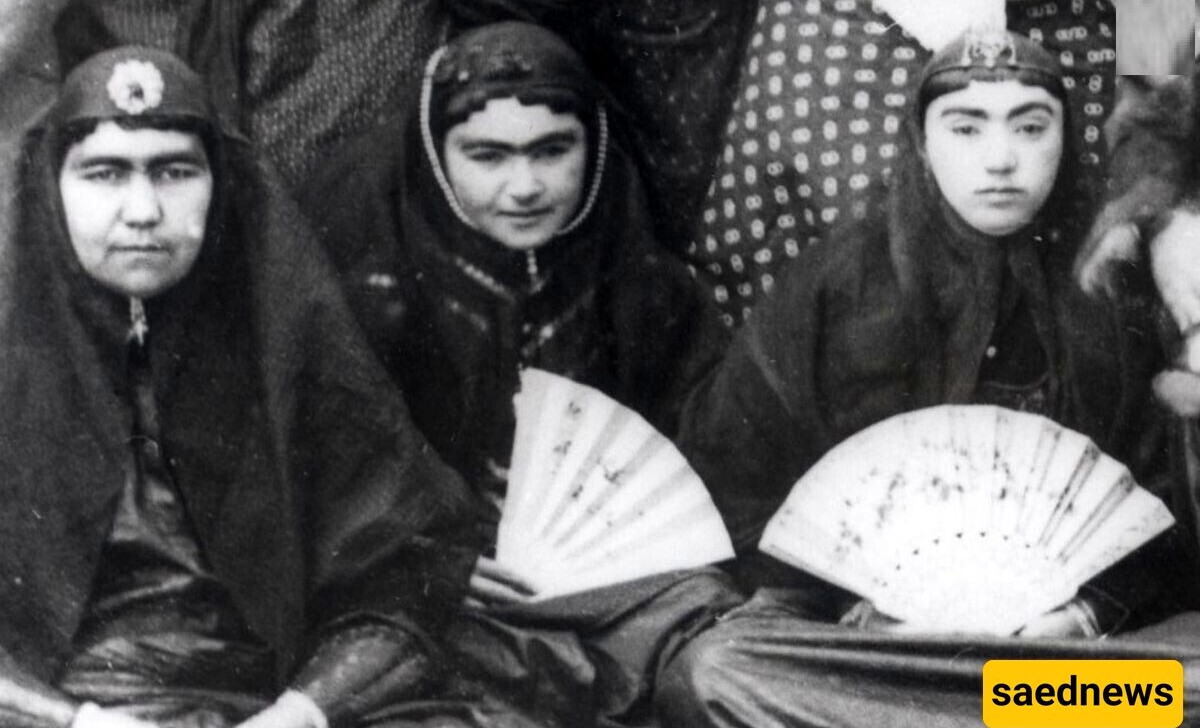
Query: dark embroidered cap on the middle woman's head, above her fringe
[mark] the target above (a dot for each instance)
(508, 61)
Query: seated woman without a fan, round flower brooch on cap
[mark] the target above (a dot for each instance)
(217, 509)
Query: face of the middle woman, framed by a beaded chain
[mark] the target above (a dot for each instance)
(518, 171)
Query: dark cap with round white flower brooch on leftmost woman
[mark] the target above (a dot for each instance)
(133, 81)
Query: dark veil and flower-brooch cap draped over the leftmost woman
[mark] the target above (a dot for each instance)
(310, 491)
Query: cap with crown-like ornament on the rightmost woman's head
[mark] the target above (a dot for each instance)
(989, 55)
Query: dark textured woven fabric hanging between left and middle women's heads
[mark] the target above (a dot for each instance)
(319, 73)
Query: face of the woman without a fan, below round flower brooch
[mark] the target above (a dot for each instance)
(136, 203)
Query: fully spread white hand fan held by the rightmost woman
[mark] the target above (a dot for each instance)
(964, 519)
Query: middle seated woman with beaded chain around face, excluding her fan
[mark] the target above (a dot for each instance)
(500, 226)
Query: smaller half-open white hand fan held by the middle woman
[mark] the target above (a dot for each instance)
(597, 496)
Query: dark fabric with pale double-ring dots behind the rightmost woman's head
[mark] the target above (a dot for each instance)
(815, 125)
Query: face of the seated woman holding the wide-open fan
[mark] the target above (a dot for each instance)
(995, 149)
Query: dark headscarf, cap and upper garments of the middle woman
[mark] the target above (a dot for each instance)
(455, 314)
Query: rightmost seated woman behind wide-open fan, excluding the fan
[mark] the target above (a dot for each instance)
(959, 291)
